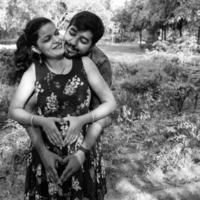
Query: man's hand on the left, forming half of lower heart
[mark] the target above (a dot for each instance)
(50, 161)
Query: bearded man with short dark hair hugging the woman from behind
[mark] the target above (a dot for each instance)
(83, 32)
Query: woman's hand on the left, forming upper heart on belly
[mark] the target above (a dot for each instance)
(49, 126)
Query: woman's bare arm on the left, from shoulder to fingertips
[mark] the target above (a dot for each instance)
(18, 112)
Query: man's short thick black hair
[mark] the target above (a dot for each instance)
(88, 21)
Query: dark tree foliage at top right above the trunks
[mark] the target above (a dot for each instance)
(160, 16)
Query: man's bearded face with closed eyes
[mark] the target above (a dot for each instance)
(77, 43)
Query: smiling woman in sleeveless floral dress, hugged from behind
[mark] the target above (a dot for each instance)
(63, 94)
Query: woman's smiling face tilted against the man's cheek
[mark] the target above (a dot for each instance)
(50, 43)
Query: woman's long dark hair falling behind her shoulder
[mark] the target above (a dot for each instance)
(24, 56)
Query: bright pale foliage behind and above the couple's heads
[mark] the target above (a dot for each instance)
(15, 14)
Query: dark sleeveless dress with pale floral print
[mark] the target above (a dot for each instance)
(59, 95)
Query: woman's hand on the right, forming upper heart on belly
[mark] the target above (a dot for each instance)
(71, 133)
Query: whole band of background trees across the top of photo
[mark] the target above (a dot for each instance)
(164, 19)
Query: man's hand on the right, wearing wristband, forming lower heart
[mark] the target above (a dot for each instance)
(73, 164)
